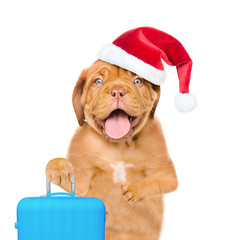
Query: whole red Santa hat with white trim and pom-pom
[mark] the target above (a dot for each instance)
(141, 51)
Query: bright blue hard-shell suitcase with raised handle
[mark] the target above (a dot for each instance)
(60, 216)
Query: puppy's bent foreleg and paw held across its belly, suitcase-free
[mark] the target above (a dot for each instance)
(160, 181)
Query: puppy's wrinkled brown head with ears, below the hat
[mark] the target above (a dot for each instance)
(116, 103)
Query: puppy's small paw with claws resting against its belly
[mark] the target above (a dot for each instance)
(130, 193)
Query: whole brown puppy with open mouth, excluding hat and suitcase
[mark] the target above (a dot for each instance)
(119, 153)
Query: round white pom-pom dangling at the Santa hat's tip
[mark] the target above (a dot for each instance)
(185, 102)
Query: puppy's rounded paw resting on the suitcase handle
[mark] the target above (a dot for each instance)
(59, 171)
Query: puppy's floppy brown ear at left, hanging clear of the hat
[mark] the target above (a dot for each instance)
(77, 93)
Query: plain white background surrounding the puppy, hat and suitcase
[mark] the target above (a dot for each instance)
(44, 45)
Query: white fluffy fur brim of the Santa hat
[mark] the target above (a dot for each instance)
(115, 55)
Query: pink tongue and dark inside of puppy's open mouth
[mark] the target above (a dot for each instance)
(117, 125)
